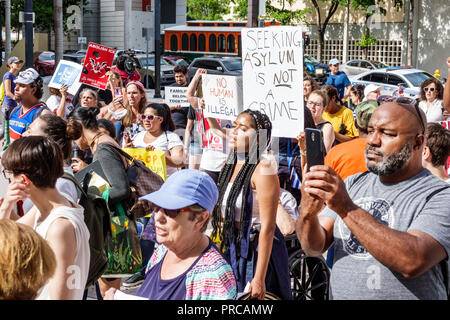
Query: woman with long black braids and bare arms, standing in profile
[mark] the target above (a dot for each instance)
(244, 218)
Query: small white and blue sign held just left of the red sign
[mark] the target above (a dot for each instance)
(68, 73)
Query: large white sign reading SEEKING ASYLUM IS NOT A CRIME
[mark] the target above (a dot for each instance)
(272, 63)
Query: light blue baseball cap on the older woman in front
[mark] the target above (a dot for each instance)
(185, 188)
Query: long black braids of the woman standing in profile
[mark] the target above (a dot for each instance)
(226, 233)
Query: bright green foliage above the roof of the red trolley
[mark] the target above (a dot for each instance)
(207, 9)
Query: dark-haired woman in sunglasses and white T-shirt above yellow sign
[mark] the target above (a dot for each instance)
(159, 135)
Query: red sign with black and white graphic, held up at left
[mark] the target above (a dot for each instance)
(97, 63)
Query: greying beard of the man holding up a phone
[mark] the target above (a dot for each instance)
(391, 163)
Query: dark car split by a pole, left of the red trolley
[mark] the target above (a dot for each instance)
(166, 75)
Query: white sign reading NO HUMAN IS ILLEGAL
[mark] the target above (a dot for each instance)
(223, 96)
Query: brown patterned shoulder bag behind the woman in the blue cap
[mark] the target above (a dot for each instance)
(142, 181)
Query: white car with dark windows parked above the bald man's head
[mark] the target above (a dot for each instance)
(390, 79)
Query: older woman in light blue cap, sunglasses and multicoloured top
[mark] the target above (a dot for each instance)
(186, 265)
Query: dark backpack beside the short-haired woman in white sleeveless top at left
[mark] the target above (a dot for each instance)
(98, 222)
